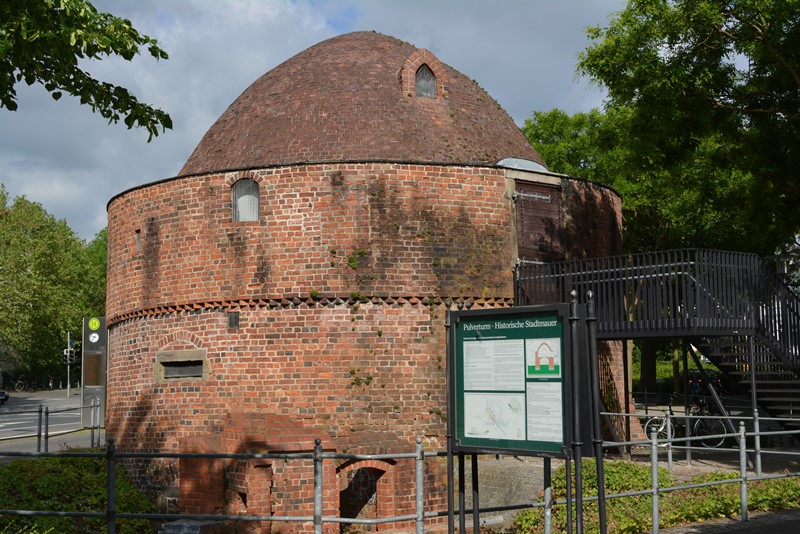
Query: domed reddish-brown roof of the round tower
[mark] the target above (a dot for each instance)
(352, 98)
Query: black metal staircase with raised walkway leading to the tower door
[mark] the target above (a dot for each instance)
(730, 306)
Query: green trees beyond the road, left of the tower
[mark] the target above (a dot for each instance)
(49, 280)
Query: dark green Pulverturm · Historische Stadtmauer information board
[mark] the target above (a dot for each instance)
(510, 380)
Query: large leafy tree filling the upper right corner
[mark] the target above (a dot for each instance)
(709, 93)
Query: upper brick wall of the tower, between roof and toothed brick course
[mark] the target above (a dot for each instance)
(330, 230)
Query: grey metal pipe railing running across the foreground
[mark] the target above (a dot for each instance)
(112, 456)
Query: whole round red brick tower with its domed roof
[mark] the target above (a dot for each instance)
(292, 281)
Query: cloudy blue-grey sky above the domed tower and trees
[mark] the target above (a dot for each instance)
(72, 162)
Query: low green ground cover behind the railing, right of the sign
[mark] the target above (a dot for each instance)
(634, 514)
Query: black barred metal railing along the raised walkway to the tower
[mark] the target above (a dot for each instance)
(687, 292)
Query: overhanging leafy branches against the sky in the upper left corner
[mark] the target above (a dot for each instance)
(43, 41)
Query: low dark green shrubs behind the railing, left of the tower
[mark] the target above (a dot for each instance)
(67, 484)
